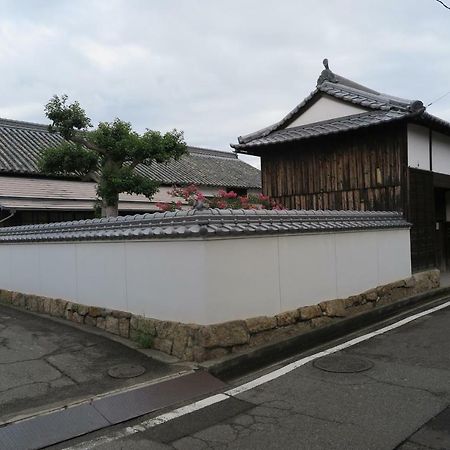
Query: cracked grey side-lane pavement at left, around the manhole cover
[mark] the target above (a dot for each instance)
(45, 363)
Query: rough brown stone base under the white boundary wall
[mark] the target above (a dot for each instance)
(193, 342)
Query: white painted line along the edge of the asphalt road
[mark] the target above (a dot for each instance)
(204, 403)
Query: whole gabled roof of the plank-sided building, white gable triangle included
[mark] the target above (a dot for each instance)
(337, 106)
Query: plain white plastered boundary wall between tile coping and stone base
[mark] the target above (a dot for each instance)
(208, 281)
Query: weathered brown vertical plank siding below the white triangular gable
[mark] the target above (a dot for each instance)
(361, 171)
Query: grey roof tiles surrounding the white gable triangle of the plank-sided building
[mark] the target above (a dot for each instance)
(381, 108)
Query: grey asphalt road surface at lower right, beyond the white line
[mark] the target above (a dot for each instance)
(400, 402)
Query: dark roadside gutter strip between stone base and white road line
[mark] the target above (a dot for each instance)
(240, 364)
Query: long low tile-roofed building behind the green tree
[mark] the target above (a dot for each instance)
(28, 196)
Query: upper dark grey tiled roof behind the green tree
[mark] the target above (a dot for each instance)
(21, 144)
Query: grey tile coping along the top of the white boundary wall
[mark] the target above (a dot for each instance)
(203, 223)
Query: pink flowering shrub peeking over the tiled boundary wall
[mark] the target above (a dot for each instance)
(222, 200)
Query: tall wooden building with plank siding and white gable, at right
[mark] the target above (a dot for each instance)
(349, 147)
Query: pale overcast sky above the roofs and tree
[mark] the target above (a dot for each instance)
(215, 69)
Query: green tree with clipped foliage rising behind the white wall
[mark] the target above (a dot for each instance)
(107, 154)
